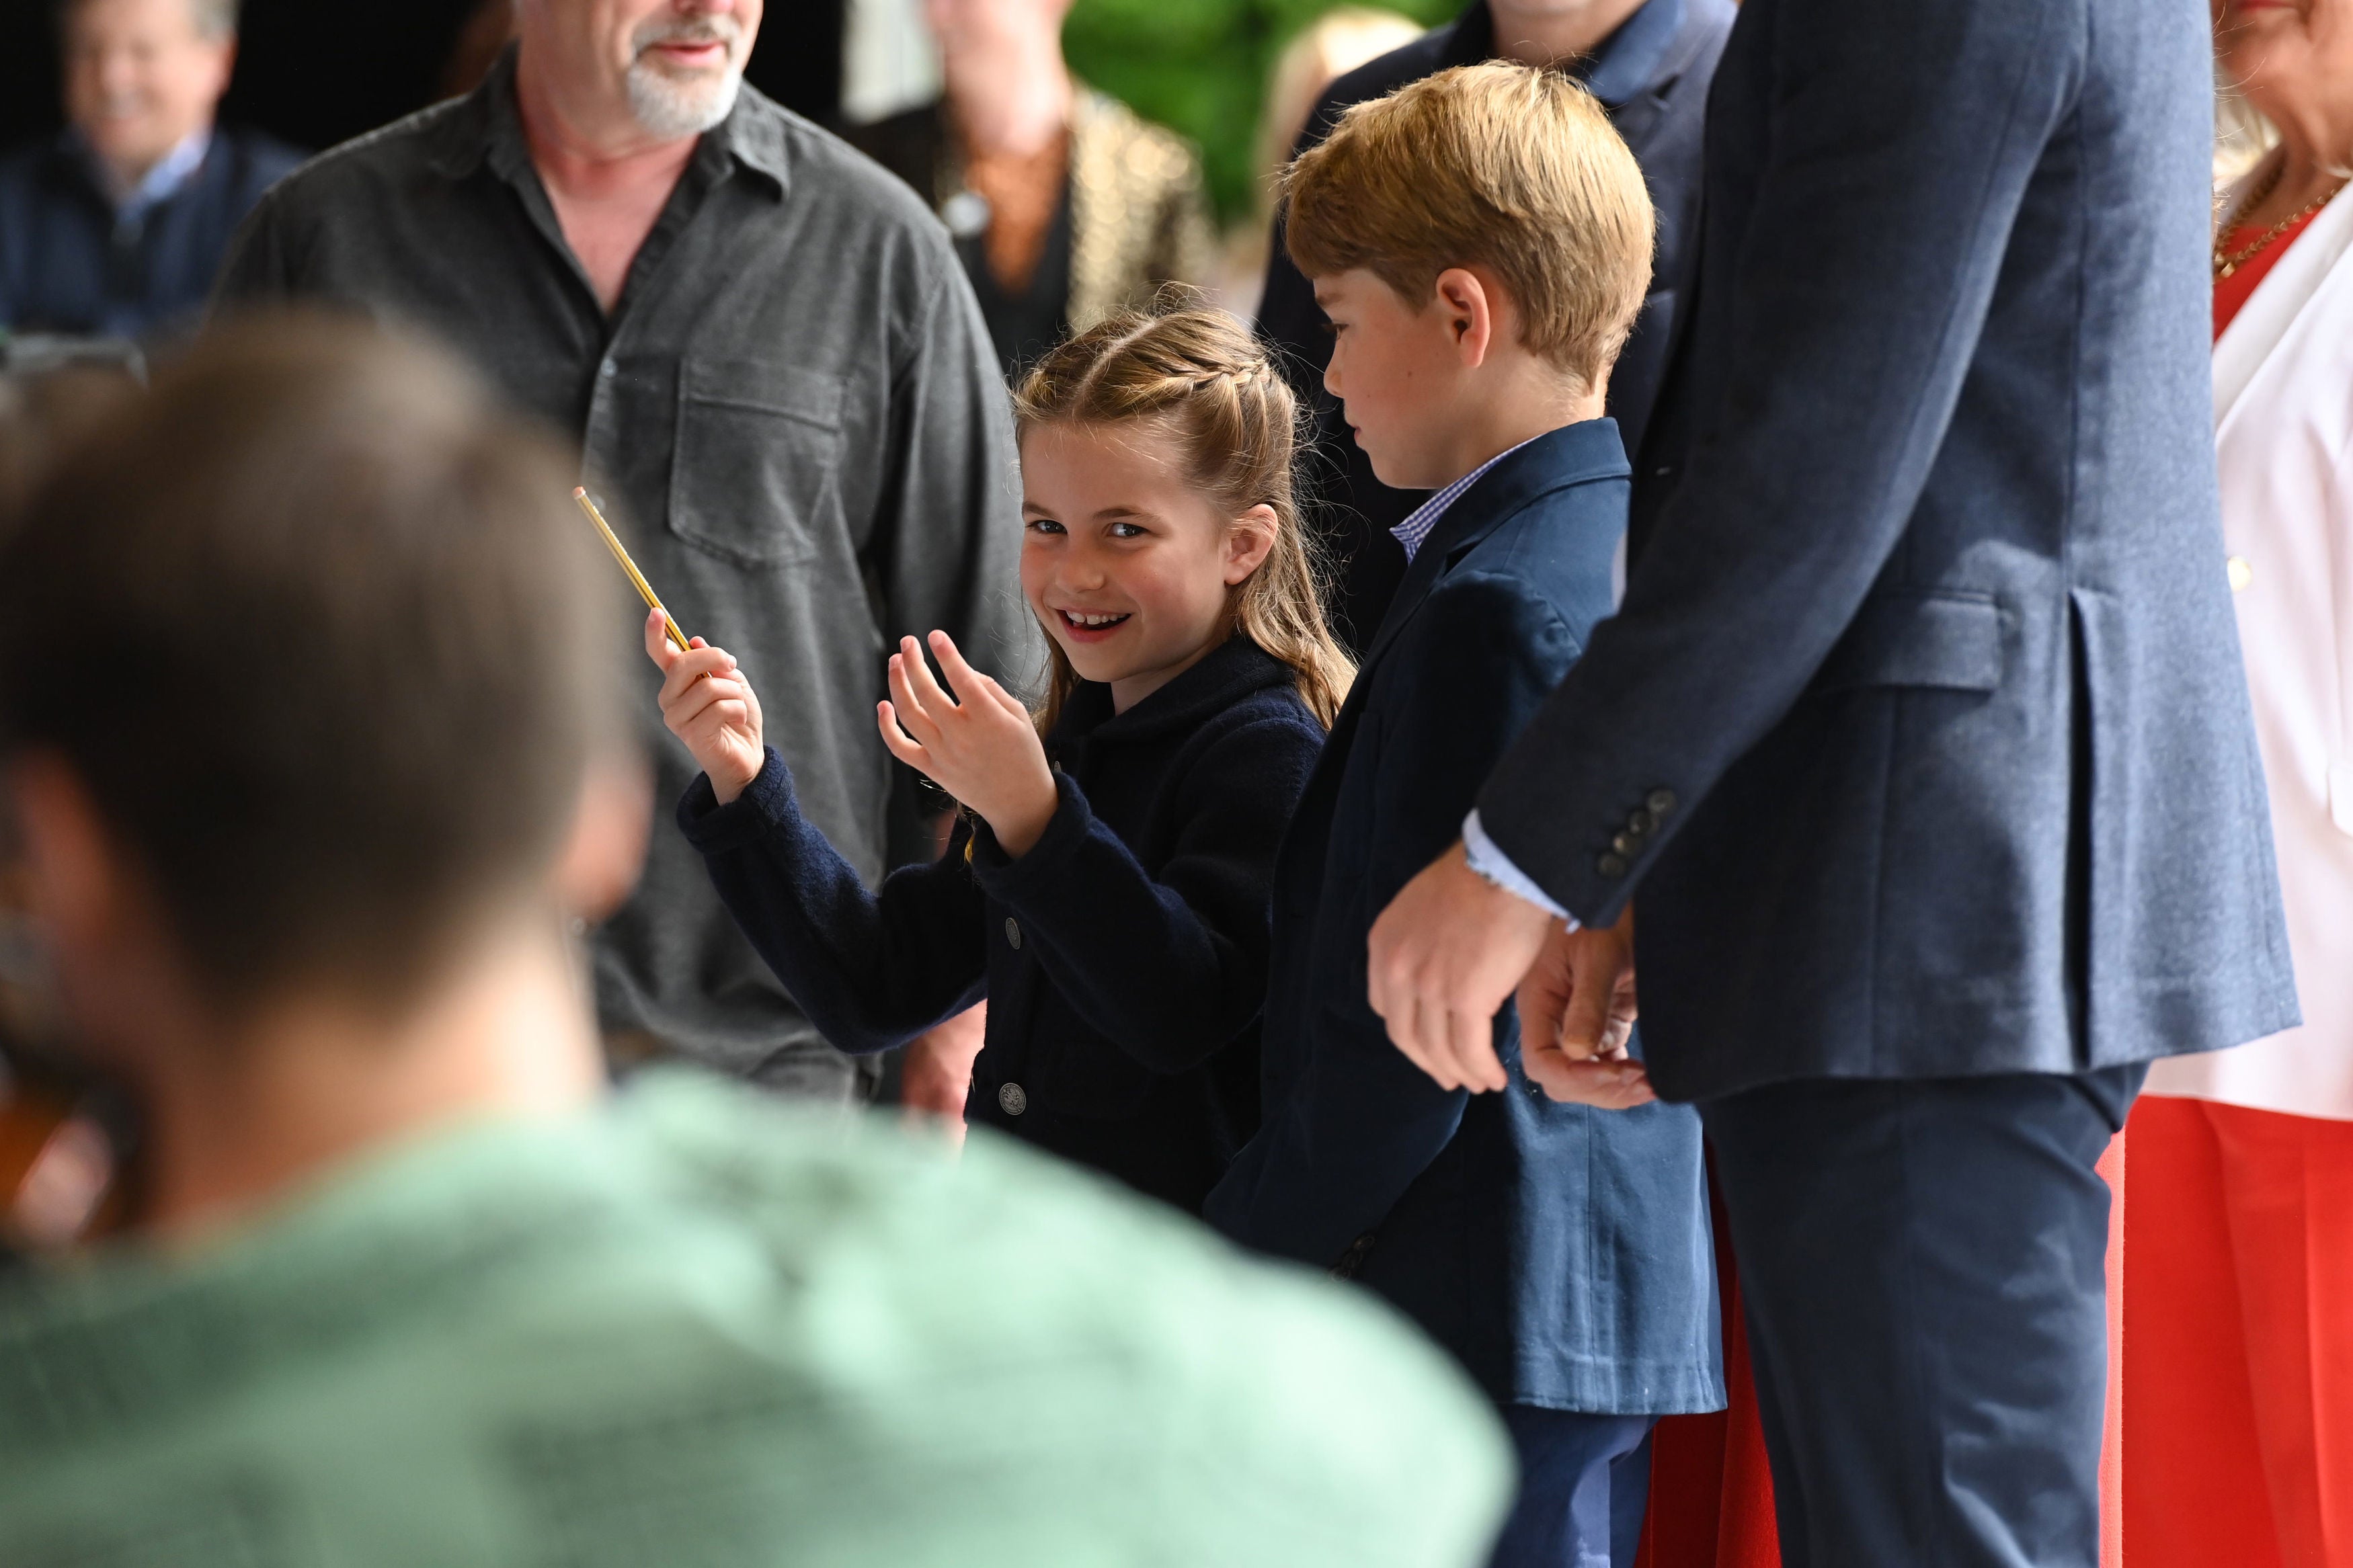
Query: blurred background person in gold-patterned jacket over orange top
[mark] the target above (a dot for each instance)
(1065, 206)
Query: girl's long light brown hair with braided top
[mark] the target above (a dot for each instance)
(1204, 380)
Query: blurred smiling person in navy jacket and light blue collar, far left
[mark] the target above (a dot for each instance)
(116, 227)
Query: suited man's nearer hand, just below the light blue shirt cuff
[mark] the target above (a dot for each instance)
(1446, 956)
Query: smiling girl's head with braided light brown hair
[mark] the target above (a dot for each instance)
(1156, 474)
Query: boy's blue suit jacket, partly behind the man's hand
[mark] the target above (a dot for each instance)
(1559, 1252)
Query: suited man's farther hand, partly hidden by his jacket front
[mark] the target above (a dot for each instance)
(1578, 1010)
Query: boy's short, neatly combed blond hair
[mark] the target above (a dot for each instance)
(1507, 168)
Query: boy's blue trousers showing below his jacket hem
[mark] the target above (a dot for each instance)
(1582, 1489)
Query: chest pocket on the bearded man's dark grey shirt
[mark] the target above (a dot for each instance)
(756, 471)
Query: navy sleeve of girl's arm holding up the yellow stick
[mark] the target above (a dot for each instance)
(869, 970)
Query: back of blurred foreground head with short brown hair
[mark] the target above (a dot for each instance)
(305, 669)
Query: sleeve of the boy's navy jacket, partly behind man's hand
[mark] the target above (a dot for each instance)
(1361, 1123)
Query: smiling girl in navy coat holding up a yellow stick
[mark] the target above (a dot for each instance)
(1109, 883)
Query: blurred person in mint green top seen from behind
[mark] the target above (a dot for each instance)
(309, 690)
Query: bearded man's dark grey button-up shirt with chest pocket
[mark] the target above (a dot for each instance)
(792, 415)
